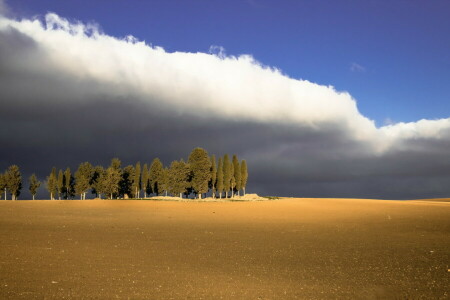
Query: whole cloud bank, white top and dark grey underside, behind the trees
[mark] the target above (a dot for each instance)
(72, 93)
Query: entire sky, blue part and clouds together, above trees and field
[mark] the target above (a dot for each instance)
(322, 98)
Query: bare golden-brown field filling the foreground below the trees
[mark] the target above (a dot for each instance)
(281, 249)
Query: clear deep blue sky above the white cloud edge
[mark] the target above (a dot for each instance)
(399, 50)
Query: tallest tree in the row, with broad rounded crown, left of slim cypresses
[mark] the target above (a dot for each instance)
(200, 167)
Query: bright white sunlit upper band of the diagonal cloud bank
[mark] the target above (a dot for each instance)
(228, 87)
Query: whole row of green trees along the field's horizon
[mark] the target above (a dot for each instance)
(199, 175)
